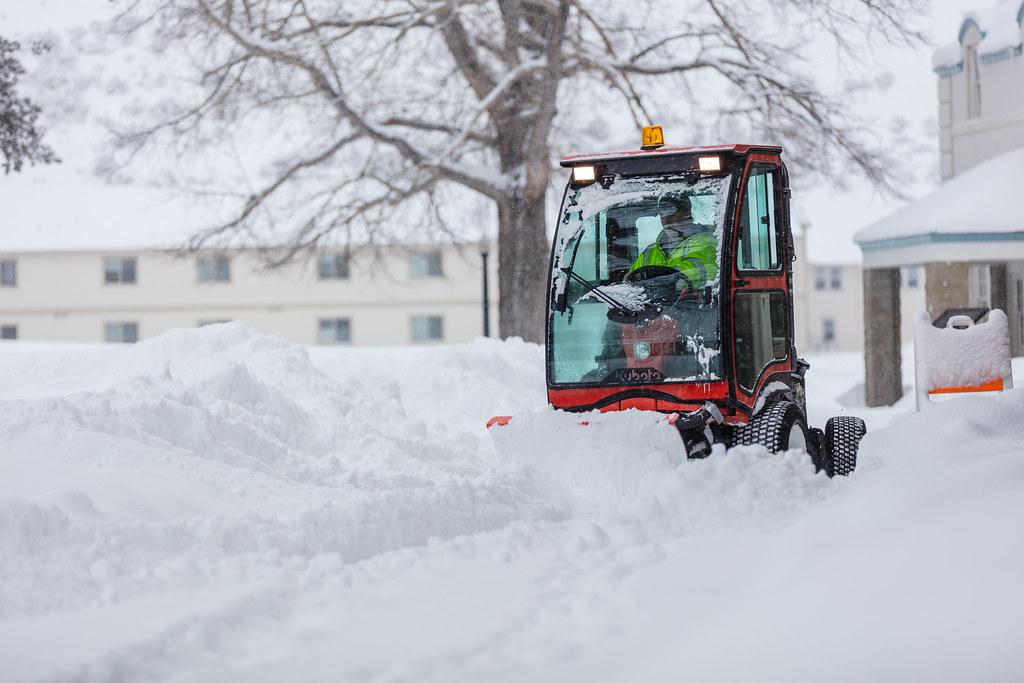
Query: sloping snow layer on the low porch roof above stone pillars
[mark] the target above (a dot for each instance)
(982, 202)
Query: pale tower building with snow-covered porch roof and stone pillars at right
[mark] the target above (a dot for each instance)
(969, 234)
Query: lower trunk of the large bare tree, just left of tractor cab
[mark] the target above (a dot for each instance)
(523, 268)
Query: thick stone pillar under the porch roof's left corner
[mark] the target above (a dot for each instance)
(883, 366)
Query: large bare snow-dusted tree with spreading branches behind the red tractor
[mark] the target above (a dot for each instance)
(378, 106)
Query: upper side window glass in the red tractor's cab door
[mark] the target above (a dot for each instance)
(757, 248)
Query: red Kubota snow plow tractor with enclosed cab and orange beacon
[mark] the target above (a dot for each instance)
(671, 291)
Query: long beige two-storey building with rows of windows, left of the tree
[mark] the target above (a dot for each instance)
(413, 295)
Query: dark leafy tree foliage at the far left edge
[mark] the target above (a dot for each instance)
(21, 138)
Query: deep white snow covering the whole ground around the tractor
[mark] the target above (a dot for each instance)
(215, 505)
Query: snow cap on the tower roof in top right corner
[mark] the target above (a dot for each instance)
(1002, 28)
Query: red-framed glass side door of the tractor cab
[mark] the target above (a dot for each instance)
(761, 297)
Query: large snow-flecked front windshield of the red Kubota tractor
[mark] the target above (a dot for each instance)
(636, 282)
